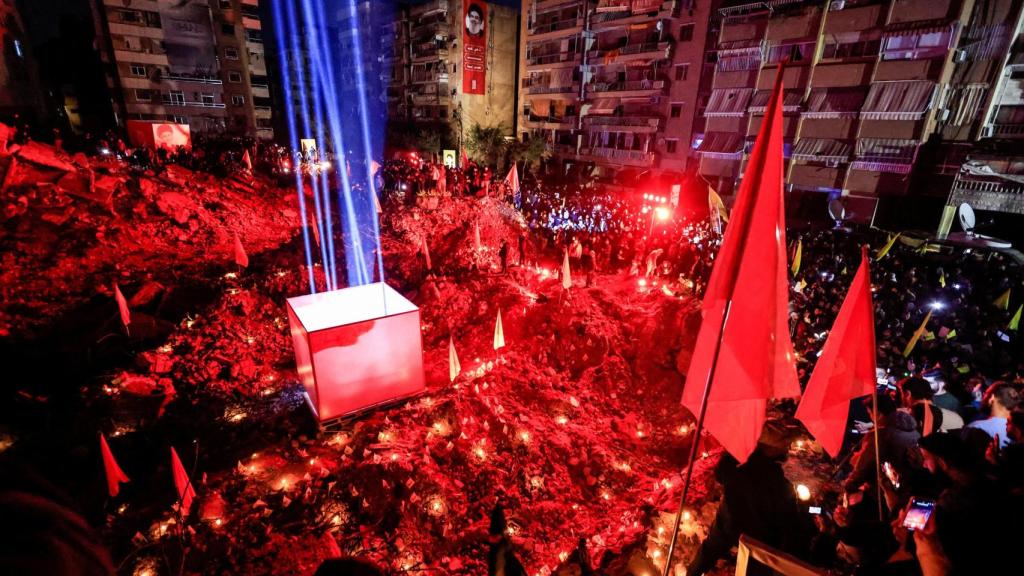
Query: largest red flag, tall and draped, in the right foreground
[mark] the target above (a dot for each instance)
(746, 309)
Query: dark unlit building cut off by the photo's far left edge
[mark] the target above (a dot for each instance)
(20, 92)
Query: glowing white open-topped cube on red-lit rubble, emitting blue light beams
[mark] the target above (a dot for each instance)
(357, 348)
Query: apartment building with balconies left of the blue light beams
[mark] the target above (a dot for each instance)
(199, 64)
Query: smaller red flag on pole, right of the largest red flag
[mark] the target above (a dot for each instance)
(846, 367)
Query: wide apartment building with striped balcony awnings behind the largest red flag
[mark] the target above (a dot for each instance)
(868, 85)
